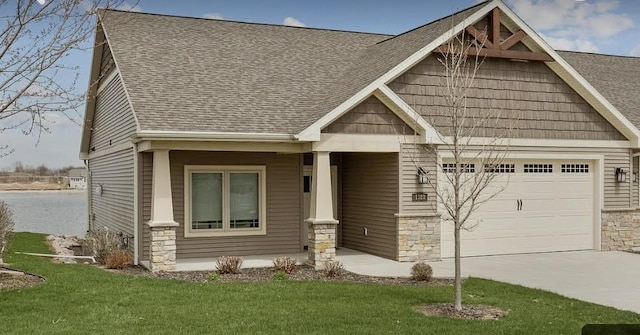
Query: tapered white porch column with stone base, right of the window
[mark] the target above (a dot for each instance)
(322, 224)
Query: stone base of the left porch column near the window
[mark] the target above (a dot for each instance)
(162, 254)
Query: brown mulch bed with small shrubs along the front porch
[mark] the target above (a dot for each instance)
(302, 273)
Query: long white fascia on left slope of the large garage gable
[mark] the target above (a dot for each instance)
(312, 133)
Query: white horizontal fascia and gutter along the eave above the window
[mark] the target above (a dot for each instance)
(209, 136)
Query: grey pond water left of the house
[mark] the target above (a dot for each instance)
(50, 212)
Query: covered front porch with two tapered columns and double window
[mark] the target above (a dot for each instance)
(192, 201)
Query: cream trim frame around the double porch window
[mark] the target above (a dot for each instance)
(225, 170)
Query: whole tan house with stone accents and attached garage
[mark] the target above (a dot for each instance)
(207, 138)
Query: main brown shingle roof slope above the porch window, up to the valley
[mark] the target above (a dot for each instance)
(192, 74)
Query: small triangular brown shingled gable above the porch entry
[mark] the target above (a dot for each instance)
(369, 117)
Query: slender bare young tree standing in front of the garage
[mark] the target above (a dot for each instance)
(467, 179)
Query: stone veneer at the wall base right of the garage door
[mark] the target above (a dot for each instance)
(620, 230)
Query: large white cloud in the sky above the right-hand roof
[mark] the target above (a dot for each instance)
(574, 25)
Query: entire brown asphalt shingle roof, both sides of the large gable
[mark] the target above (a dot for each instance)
(190, 74)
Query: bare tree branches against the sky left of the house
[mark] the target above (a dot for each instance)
(36, 78)
